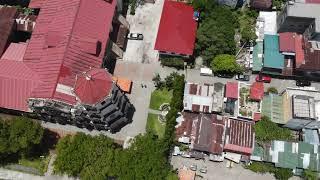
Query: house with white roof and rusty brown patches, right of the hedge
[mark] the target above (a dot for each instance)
(203, 97)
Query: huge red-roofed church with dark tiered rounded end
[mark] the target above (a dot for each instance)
(57, 73)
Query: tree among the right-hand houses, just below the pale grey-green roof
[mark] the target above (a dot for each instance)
(267, 130)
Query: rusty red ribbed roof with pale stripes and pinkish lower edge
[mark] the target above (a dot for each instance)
(239, 136)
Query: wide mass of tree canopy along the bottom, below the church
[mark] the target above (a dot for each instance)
(98, 157)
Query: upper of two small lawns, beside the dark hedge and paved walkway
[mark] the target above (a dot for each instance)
(159, 97)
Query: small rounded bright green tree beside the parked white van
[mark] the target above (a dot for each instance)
(225, 63)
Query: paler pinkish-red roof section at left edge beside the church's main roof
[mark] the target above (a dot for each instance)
(15, 52)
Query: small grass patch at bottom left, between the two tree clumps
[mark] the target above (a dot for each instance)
(40, 164)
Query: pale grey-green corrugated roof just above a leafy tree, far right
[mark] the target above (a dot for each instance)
(272, 106)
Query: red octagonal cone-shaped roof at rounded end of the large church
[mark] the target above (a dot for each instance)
(93, 86)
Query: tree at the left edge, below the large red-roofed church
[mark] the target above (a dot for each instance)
(18, 136)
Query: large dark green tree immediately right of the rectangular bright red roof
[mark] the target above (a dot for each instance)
(216, 32)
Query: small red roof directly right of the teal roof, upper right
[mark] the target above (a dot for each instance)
(287, 42)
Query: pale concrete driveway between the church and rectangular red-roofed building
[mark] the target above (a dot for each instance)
(146, 21)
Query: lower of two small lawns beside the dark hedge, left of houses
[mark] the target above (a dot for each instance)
(154, 125)
